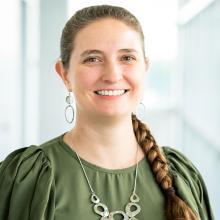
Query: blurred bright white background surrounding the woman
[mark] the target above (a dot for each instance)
(182, 96)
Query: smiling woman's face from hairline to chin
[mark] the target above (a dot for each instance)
(108, 58)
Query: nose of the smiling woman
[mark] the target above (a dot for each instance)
(112, 72)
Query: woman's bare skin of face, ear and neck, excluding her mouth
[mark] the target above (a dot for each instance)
(107, 55)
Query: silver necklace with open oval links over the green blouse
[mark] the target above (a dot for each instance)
(105, 214)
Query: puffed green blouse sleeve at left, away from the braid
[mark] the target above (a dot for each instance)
(27, 188)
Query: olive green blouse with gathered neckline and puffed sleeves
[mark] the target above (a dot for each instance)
(46, 182)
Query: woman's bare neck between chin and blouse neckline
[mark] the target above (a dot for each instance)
(110, 145)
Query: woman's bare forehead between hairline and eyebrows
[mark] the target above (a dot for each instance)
(107, 35)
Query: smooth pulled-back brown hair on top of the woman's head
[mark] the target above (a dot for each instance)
(86, 16)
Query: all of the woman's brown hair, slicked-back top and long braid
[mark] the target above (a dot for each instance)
(176, 208)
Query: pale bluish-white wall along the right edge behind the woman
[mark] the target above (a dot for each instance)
(199, 52)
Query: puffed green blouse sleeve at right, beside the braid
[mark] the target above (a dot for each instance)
(189, 183)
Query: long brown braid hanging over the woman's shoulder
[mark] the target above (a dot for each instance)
(176, 208)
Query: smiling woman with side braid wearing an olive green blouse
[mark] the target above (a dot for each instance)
(108, 166)
